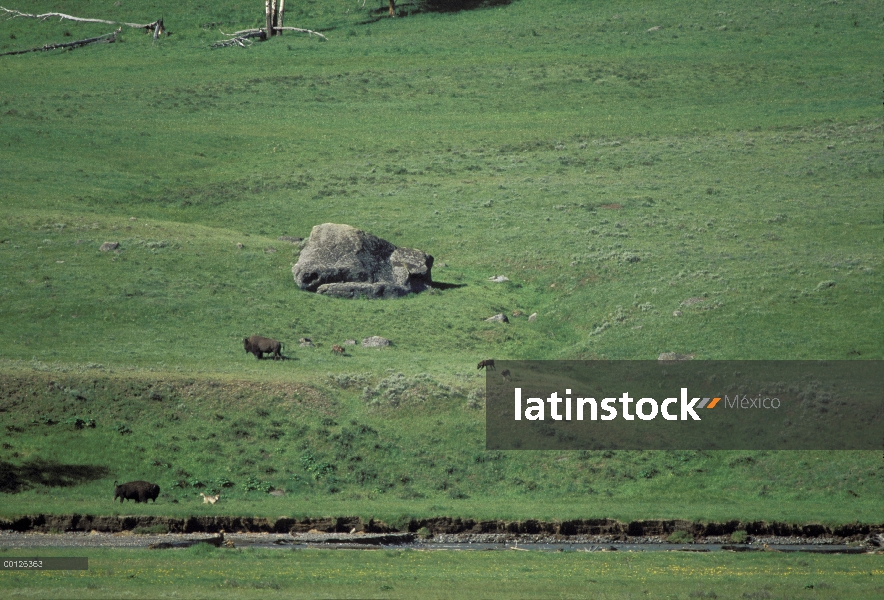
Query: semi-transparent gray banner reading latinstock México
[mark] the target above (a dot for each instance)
(685, 405)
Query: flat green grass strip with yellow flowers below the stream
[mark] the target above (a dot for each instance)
(201, 572)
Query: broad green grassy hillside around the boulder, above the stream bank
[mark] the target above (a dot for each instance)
(612, 160)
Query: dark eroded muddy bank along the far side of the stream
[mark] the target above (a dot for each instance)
(612, 529)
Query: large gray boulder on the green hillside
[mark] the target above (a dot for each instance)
(340, 260)
